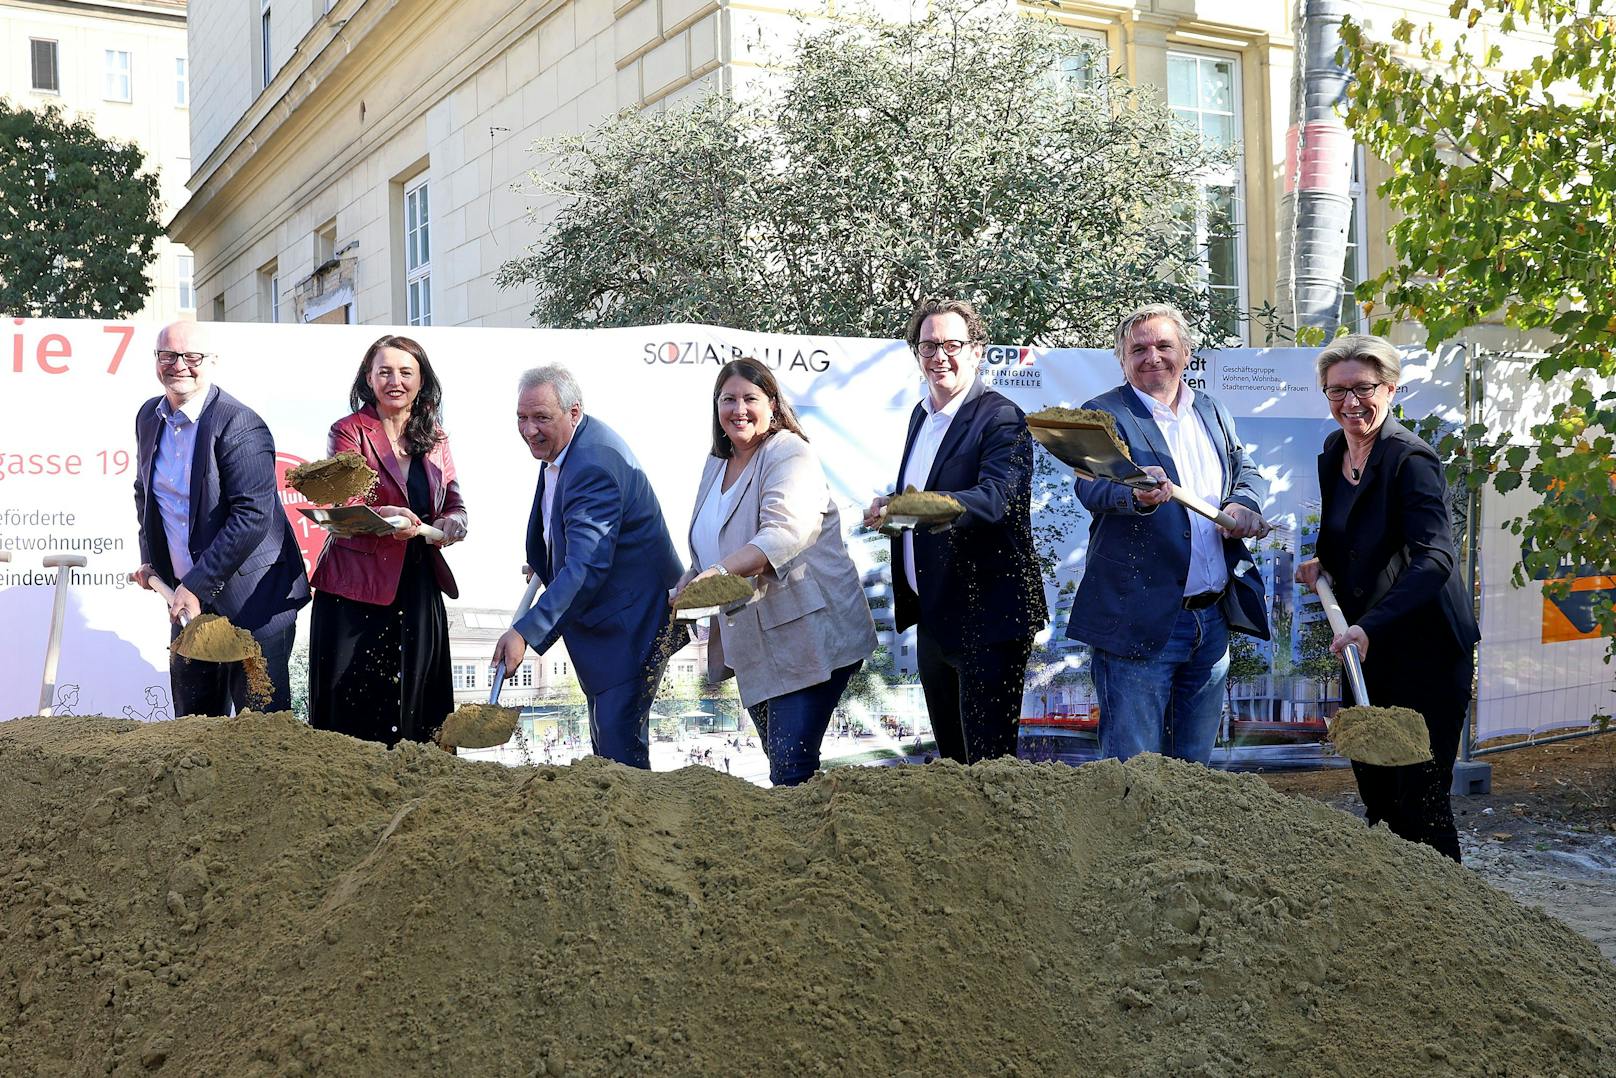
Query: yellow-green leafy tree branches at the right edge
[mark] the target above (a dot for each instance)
(1505, 180)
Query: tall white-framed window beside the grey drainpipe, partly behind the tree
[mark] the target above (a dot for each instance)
(1203, 91)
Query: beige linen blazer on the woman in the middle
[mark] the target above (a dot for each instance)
(810, 615)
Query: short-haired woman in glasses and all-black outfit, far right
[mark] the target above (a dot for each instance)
(1387, 547)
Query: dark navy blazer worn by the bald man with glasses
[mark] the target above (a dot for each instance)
(246, 563)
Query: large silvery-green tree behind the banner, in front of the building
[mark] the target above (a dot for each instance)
(890, 162)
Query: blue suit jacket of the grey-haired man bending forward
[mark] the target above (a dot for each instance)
(607, 583)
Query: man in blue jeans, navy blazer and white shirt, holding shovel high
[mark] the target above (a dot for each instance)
(1163, 587)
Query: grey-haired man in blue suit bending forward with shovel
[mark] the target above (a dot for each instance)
(599, 542)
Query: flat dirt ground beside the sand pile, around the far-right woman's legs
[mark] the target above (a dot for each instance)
(1546, 835)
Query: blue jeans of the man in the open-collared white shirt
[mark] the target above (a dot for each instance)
(1171, 704)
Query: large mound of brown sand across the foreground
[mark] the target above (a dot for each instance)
(253, 898)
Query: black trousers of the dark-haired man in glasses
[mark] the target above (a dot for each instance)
(974, 699)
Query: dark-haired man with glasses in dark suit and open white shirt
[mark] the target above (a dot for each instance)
(974, 592)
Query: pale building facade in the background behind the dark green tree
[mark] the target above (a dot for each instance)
(125, 65)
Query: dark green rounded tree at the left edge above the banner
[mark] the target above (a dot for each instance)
(78, 219)
